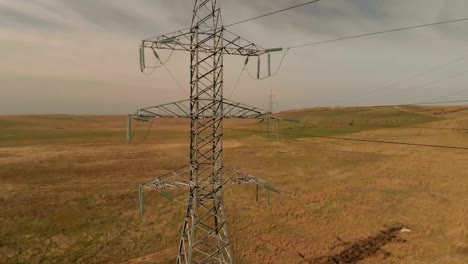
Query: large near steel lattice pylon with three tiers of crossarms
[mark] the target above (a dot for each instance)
(205, 238)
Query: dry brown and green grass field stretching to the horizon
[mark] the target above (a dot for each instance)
(68, 188)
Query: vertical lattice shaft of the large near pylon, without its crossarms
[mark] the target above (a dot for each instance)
(204, 237)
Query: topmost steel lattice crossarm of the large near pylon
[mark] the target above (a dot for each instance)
(181, 40)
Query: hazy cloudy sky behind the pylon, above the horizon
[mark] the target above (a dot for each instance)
(81, 56)
